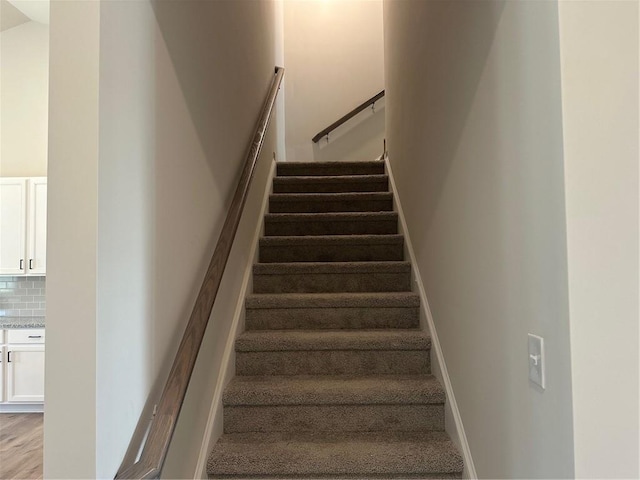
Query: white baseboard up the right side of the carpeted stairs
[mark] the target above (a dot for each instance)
(455, 431)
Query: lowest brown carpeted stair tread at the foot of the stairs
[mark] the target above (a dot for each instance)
(347, 454)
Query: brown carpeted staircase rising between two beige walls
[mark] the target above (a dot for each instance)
(333, 377)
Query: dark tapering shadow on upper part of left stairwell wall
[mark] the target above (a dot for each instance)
(209, 74)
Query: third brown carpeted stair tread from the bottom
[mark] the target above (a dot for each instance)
(308, 340)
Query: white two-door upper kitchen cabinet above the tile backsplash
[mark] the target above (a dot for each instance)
(23, 226)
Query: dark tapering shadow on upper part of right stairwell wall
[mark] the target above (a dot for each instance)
(463, 33)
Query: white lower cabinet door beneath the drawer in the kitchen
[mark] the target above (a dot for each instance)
(25, 373)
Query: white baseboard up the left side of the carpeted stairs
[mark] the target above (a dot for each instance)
(213, 429)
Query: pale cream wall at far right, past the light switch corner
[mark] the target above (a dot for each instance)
(599, 51)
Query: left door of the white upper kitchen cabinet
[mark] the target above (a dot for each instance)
(13, 208)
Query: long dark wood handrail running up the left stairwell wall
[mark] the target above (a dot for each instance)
(163, 422)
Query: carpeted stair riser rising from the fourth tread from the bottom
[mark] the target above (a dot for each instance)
(332, 282)
